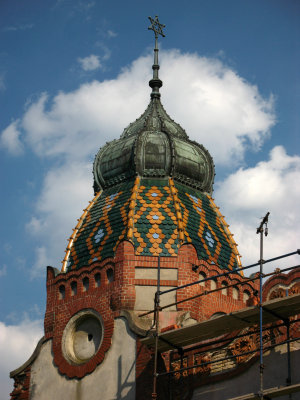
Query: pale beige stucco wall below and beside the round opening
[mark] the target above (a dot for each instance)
(114, 379)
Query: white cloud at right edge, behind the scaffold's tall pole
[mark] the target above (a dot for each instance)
(246, 196)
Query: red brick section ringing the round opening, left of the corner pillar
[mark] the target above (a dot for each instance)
(61, 310)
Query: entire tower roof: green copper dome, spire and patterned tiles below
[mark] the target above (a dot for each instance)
(153, 188)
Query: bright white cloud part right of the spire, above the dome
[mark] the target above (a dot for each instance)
(216, 106)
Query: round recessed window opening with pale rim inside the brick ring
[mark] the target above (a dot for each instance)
(82, 336)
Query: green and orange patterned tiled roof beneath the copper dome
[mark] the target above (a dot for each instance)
(157, 216)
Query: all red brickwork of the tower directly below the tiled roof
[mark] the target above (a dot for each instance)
(108, 298)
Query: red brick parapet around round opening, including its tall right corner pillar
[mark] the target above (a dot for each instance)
(104, 296)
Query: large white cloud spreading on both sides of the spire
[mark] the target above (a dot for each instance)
(215, 106)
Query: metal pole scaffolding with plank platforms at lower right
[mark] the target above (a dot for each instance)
(273, 311)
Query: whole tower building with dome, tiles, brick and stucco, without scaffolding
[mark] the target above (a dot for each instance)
(153, 206)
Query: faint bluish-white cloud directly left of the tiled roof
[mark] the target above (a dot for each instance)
(65, 192)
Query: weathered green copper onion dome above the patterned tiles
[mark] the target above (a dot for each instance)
(154, 146)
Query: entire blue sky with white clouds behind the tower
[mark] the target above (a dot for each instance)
(74, 73)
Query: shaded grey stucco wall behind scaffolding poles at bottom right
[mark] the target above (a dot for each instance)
(275, 374)
